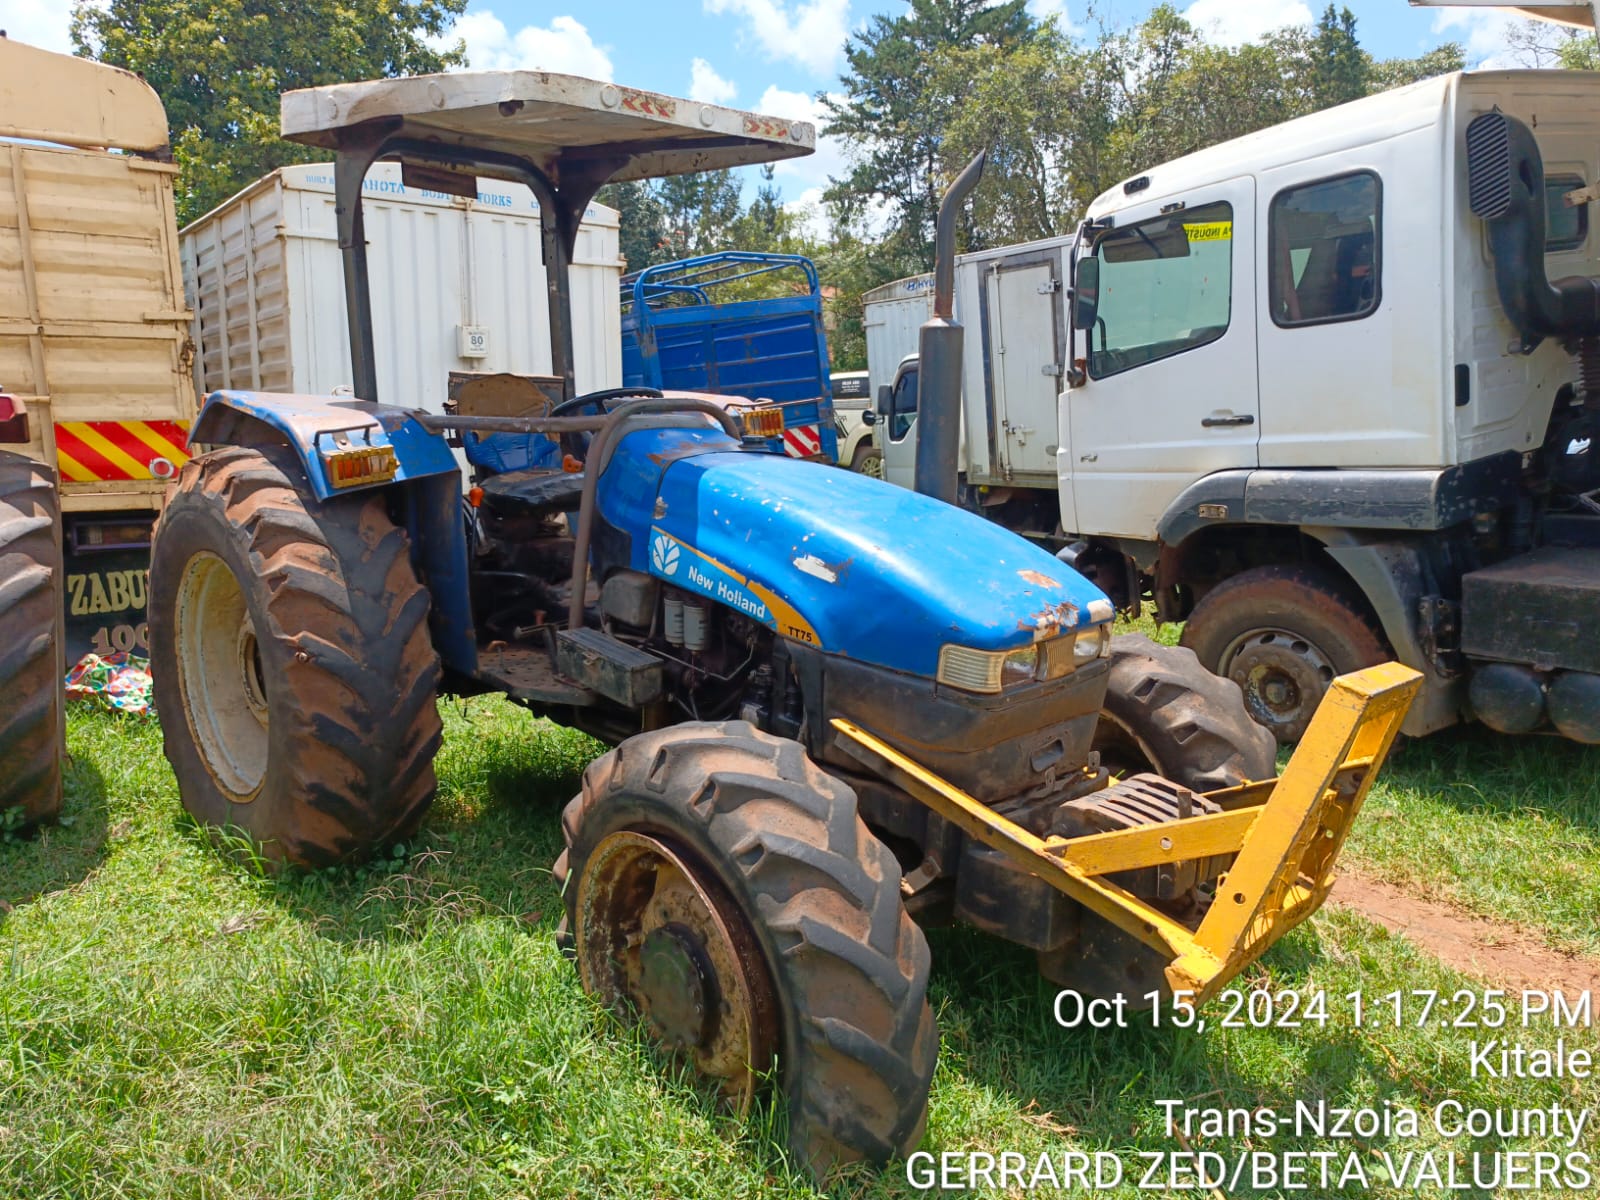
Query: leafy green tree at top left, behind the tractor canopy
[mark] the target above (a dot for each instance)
(222, 65)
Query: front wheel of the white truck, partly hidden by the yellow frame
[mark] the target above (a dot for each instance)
(1282, 634)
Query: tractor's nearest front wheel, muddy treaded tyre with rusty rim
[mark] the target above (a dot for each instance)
(721, 887)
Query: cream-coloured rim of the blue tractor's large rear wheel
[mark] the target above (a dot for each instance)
(222, 678)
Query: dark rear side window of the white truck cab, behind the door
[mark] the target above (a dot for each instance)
(1324, 247)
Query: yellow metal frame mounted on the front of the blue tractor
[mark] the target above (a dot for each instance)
(1287, 834)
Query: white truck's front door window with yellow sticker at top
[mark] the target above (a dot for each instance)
(1166, 287)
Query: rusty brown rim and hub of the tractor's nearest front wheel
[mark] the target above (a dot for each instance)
(660, 940)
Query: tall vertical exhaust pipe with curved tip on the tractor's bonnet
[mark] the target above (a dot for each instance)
(940, 354)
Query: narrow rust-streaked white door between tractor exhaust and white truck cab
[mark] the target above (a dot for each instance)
(1025, 358)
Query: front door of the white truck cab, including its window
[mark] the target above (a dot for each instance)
(1170, 390)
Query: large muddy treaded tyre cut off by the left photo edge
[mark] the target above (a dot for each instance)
(33, 711)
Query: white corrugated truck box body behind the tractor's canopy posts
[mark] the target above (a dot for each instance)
(274, 319)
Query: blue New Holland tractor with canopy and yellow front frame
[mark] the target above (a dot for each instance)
(841, 710)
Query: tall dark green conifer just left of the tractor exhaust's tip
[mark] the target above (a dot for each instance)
(897, 111)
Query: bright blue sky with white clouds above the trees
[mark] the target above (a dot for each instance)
(777, 55)
